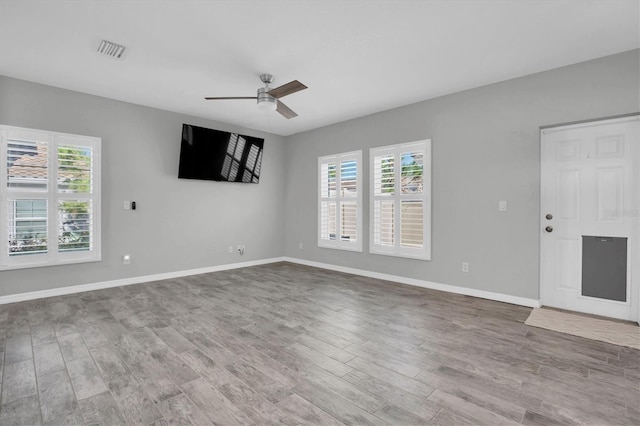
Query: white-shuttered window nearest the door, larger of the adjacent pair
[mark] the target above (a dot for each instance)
(401, 200)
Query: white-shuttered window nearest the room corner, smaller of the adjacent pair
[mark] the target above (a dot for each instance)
(340, 201)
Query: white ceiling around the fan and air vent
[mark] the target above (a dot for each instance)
(357, 57)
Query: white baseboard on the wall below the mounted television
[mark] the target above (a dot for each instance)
(20, 297)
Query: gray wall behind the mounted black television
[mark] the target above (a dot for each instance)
(179, 224)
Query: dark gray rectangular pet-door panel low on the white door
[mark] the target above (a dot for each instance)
(604, 267)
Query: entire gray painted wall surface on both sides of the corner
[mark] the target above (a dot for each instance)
(485, 148)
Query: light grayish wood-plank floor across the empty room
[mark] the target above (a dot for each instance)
(286, 344)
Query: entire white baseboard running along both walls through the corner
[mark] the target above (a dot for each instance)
(20, 297)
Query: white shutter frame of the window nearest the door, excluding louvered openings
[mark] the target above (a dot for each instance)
(423, 253)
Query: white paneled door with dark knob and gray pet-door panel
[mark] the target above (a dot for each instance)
(590, 187)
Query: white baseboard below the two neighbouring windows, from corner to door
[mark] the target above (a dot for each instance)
(499, 297)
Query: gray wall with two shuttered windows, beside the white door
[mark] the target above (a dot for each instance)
(485, 148)
